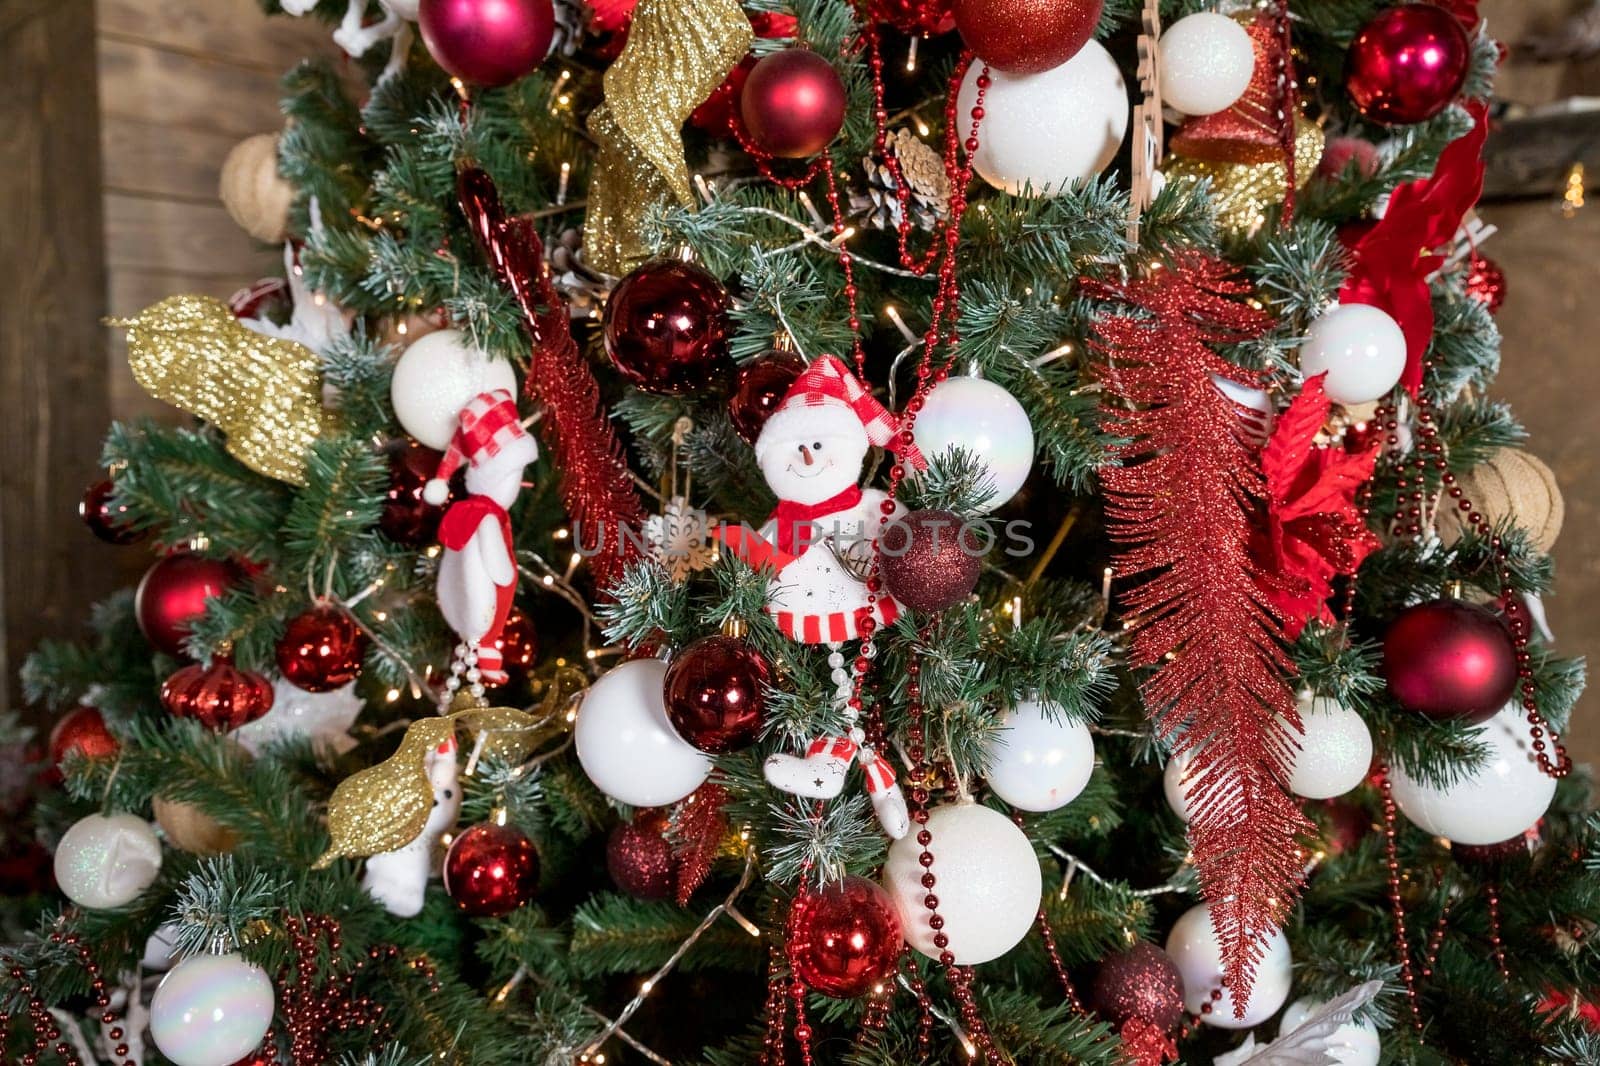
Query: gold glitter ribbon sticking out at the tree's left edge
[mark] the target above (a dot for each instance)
(263, 393)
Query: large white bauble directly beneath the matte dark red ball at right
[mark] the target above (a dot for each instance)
(1505, 798)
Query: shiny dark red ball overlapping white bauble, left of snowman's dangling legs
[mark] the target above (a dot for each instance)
(716, 694)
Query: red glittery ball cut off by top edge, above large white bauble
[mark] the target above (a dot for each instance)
(1026, 36)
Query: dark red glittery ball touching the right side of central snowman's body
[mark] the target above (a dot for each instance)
(930, 559)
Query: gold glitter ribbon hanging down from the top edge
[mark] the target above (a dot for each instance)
(678, 52)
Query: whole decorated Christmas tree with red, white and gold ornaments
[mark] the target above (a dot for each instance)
(905, 532)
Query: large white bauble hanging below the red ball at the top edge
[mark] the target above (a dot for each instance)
(1042, 132)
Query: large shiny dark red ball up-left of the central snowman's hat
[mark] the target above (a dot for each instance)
(666, 327)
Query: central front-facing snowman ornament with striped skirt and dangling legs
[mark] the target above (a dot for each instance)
(820, 542)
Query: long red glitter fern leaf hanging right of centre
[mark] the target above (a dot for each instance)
(1185, 505)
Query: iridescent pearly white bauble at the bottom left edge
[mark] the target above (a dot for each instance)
(212, 1011)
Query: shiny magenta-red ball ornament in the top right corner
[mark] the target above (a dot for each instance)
(1407, 65)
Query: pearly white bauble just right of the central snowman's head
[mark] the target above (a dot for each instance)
(983, 420)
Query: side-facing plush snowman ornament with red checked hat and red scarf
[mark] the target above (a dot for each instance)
(478, 575)
